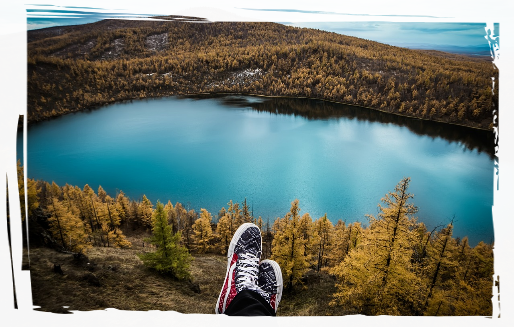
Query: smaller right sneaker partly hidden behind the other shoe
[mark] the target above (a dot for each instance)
(270, 282)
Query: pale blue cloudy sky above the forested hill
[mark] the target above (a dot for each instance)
(395, 22)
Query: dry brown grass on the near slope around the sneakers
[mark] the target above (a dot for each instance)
(113, 288)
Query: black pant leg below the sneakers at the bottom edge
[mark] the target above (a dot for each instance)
(249, 309)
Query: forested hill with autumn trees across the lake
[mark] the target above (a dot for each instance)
(50, 72)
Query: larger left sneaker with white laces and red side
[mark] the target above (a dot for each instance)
(243, 255)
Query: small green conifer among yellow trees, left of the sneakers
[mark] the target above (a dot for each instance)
(170, 257)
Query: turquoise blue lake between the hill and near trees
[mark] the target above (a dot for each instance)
(336, 159)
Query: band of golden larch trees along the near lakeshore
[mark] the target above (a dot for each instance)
(392, 271)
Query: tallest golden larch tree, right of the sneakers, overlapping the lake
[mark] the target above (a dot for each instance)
(377, 278)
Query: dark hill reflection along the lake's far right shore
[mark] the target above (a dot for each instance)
(497, 146)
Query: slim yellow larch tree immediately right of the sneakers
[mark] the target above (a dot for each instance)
(288, 247)
